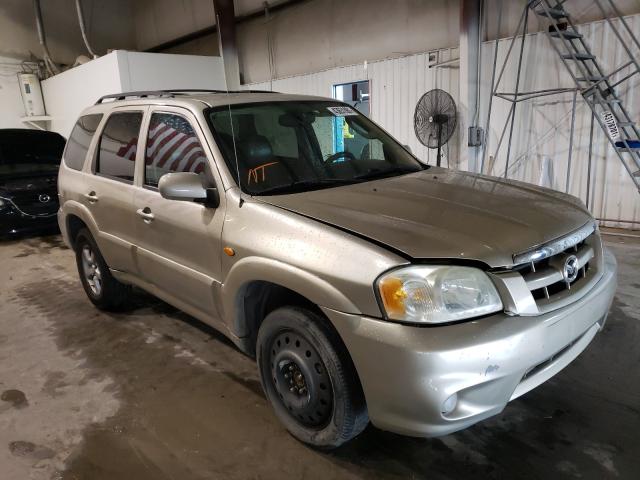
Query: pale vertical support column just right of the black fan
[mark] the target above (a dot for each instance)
(470, 151)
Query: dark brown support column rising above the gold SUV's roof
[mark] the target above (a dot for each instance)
(226, 22)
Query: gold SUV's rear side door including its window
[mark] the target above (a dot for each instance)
(108, 191)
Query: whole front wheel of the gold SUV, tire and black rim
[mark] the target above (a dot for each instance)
(326, 408)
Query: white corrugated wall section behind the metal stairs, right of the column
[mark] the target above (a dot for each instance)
(543, 125)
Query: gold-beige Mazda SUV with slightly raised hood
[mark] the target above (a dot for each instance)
(368, 285)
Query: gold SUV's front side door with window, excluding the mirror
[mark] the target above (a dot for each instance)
(178, 241)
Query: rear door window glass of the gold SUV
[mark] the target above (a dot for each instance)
(118, 144)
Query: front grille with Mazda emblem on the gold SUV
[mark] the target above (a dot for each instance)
(568, 273)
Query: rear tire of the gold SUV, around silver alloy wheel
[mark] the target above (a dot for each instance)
(112, 295)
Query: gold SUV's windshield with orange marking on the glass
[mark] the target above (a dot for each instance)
(287, 147)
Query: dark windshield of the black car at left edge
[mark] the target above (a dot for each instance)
(29, 152)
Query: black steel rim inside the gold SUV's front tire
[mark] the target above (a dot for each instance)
(300, 379)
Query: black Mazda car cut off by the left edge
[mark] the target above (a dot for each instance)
(29, 162)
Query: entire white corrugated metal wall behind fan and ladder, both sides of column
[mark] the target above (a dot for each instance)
(541, 133)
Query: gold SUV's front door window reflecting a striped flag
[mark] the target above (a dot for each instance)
(172, 146)
